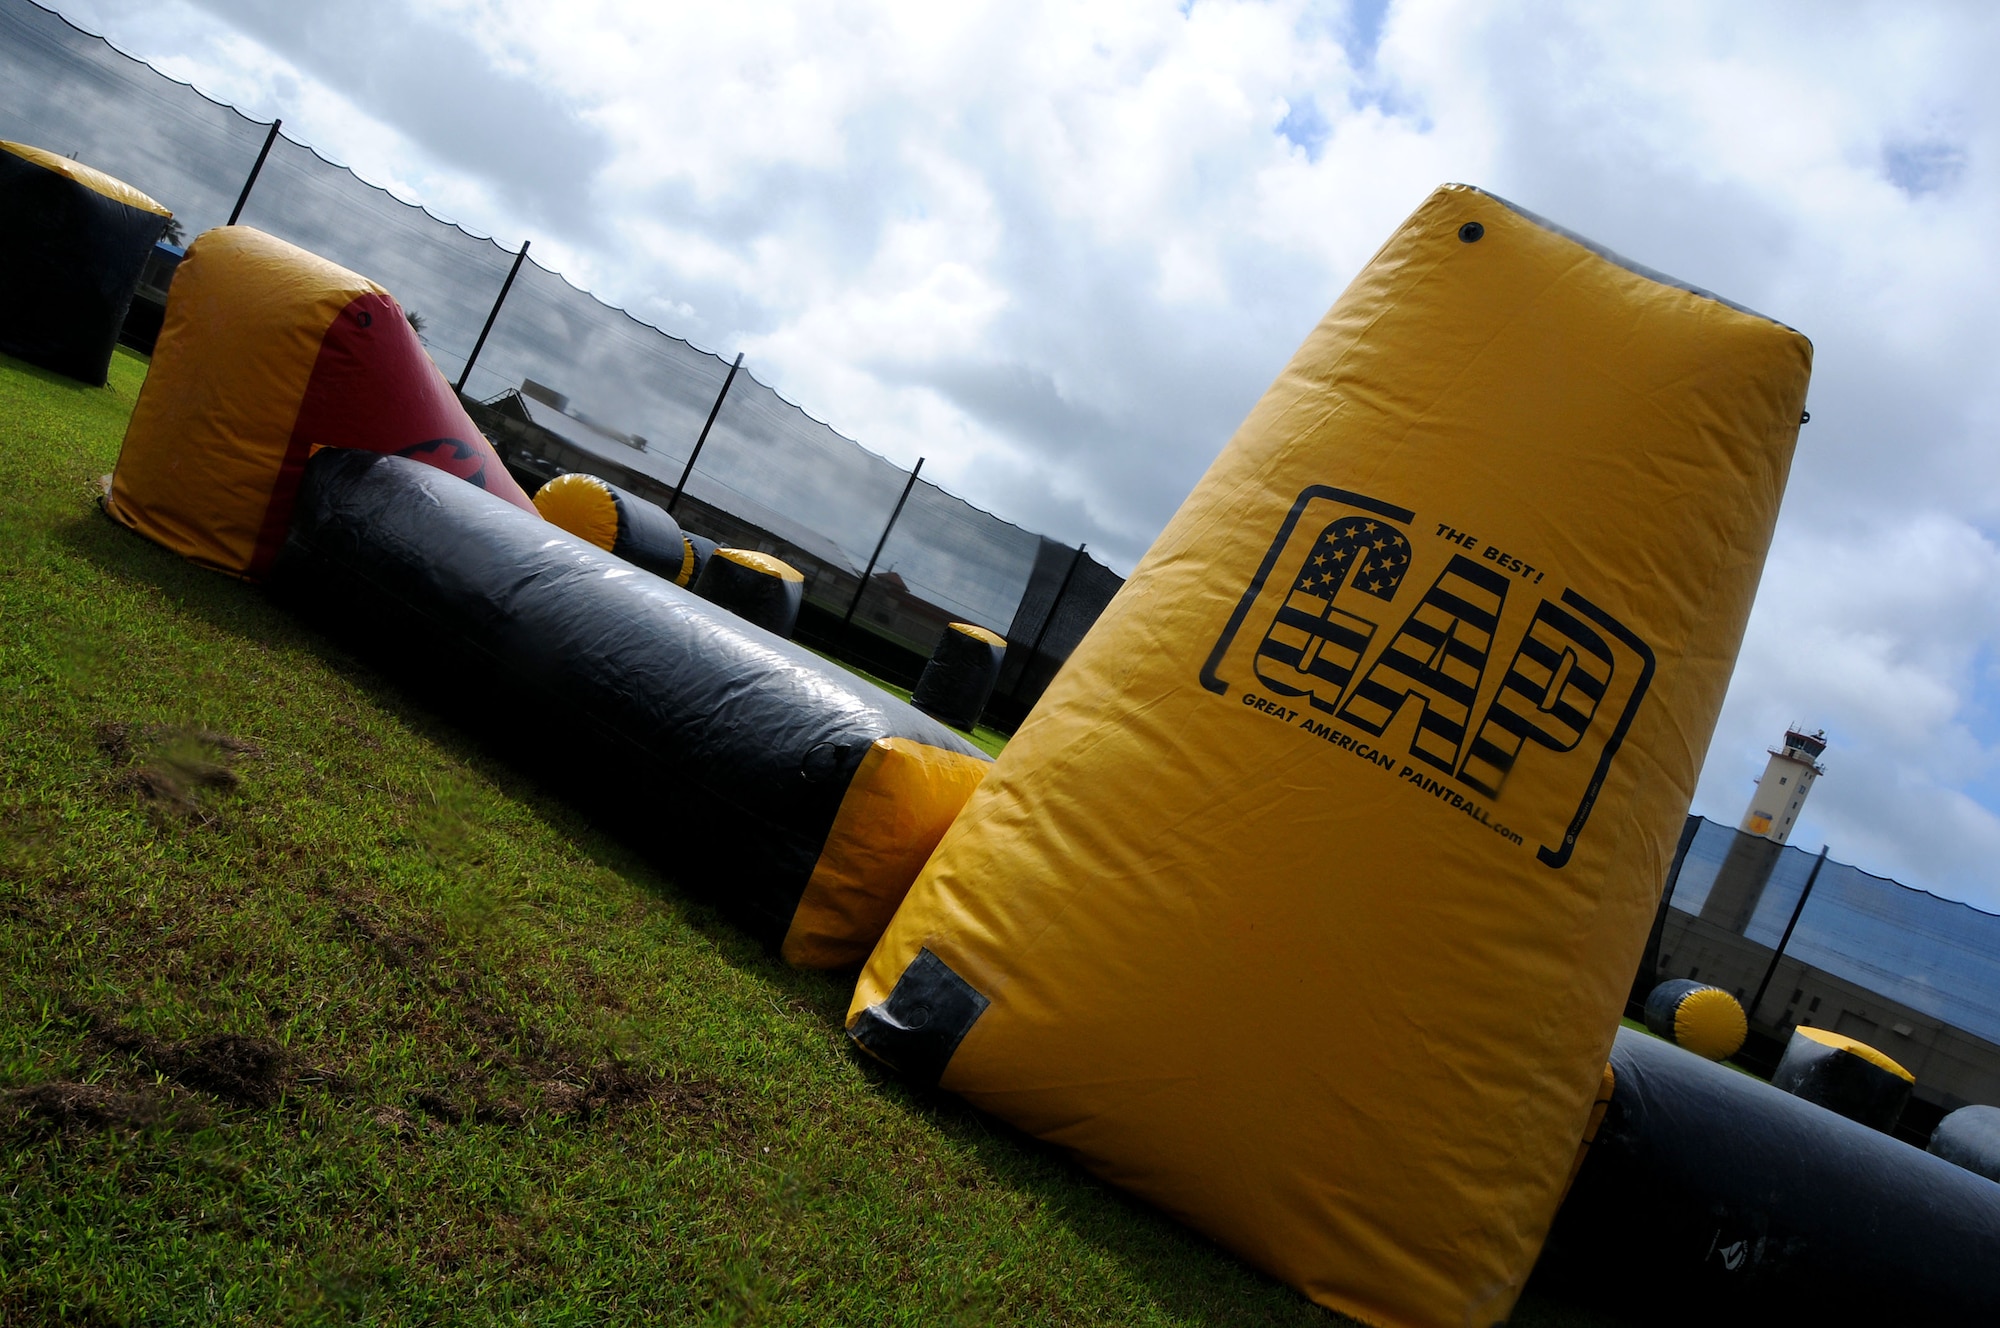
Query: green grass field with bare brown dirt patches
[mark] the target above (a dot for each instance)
(315, 1013)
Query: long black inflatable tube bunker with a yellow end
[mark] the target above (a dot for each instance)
(797, 795)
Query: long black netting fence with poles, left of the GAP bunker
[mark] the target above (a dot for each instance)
(569, 383)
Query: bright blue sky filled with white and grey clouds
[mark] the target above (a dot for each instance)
(1063, 249)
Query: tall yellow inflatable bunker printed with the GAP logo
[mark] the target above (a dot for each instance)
(1309, 897)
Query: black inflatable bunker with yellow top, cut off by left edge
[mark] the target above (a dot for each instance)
(73, 245)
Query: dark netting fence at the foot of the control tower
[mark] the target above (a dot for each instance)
(1931, 955)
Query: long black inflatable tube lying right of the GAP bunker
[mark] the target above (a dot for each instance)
(1713, 1197)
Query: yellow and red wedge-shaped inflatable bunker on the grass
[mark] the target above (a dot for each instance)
(267, 355)
